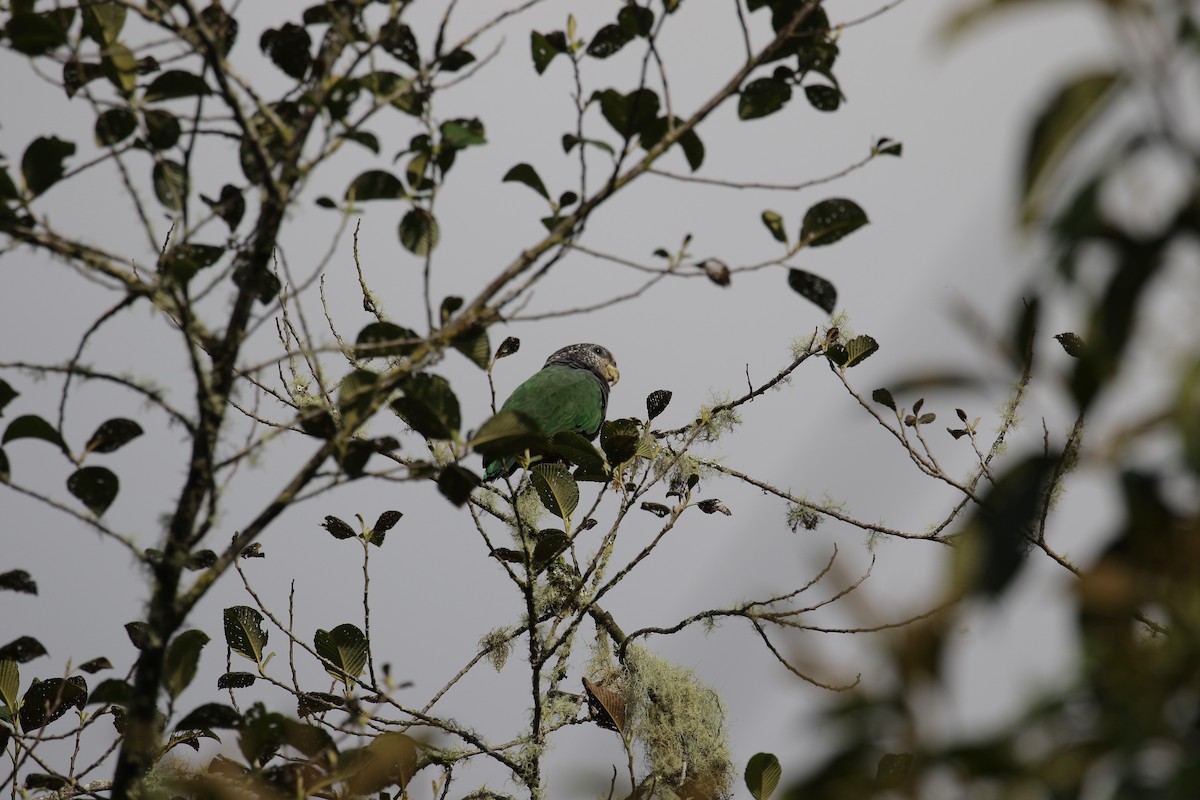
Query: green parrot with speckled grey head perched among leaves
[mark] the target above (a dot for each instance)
(571, 393)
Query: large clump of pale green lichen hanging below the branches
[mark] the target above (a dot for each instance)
(679, 723)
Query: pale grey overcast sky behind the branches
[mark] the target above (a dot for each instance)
(941, 233)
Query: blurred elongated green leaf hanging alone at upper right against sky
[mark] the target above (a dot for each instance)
(1059, 128)
